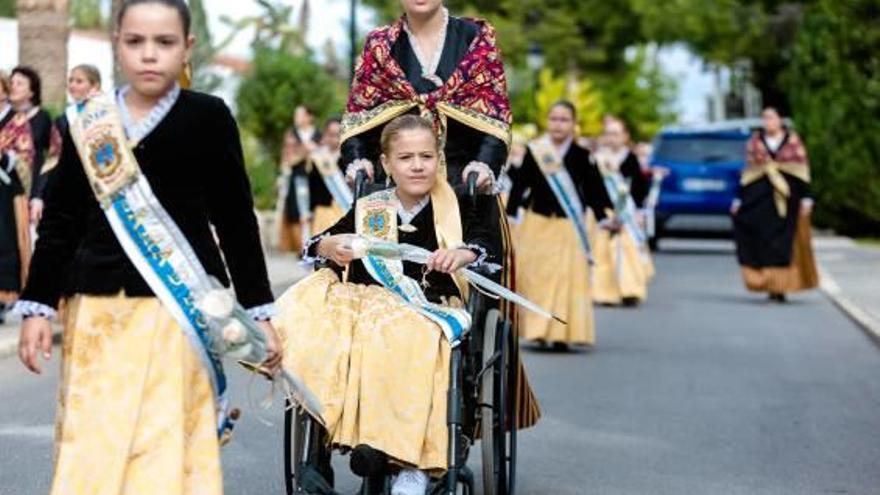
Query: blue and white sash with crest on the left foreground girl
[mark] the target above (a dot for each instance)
(212, 321)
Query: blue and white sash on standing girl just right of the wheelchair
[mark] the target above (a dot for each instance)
(563, 187)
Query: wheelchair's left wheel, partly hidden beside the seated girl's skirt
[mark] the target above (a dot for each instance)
(302, 449)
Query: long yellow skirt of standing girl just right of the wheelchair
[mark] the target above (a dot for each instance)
(552, 271)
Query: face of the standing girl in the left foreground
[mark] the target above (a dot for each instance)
(152, 48)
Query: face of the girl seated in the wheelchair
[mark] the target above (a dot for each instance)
(412, 161)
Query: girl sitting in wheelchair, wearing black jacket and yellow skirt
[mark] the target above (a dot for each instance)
(372, 337)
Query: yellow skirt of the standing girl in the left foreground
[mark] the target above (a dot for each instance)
(136, 410)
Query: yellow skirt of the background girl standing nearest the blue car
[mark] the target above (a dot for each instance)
(621, 270)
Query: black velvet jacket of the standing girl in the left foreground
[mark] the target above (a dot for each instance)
(194, 163)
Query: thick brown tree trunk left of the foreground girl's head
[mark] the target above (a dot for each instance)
(43, 30)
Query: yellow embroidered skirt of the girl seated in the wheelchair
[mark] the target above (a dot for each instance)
(379, 369)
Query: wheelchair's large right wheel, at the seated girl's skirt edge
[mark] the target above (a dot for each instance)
(498, 403)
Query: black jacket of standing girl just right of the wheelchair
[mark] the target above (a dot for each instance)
(584, 173)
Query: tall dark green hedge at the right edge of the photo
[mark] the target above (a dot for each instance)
(835, 95)
